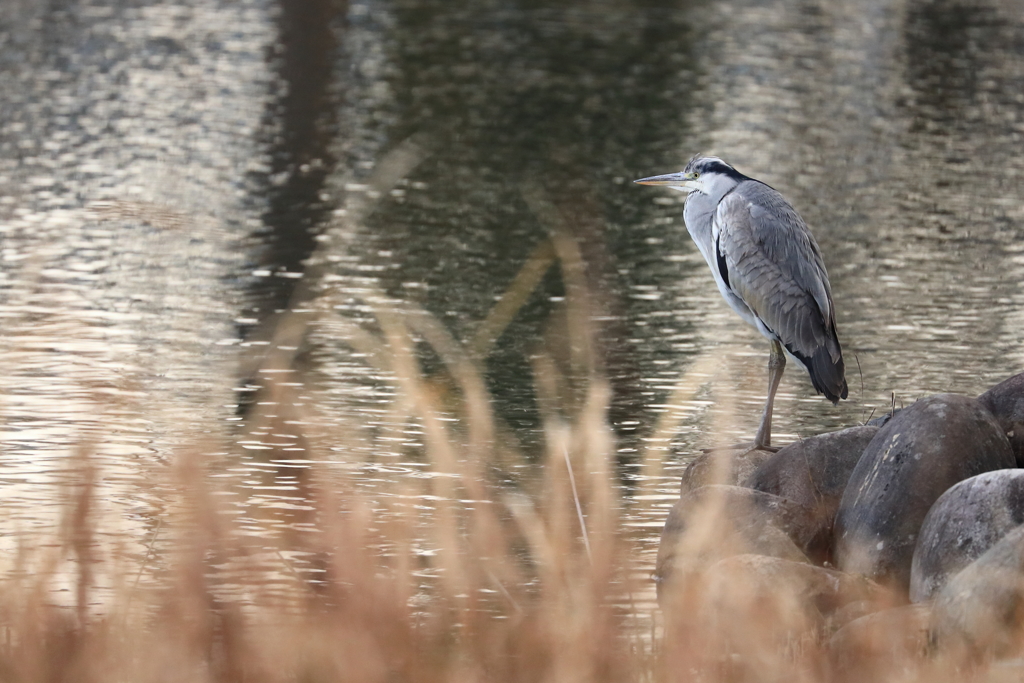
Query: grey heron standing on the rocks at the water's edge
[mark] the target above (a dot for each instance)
(769, 268)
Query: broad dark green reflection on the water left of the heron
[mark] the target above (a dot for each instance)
(575, 101)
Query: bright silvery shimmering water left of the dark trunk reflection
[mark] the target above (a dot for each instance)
(126, 131)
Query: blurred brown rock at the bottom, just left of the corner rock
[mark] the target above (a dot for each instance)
(880, 647)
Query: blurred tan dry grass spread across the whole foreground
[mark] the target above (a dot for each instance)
(518, 590)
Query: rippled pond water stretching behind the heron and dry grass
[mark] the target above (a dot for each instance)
(166, 170)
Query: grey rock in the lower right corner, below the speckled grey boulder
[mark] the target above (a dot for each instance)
(980, 612)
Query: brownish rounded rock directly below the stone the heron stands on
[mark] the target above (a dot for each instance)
(717, 522)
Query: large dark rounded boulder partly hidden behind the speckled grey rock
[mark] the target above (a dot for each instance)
(921, 453)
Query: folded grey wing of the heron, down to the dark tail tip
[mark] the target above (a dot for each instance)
(776, 267)
